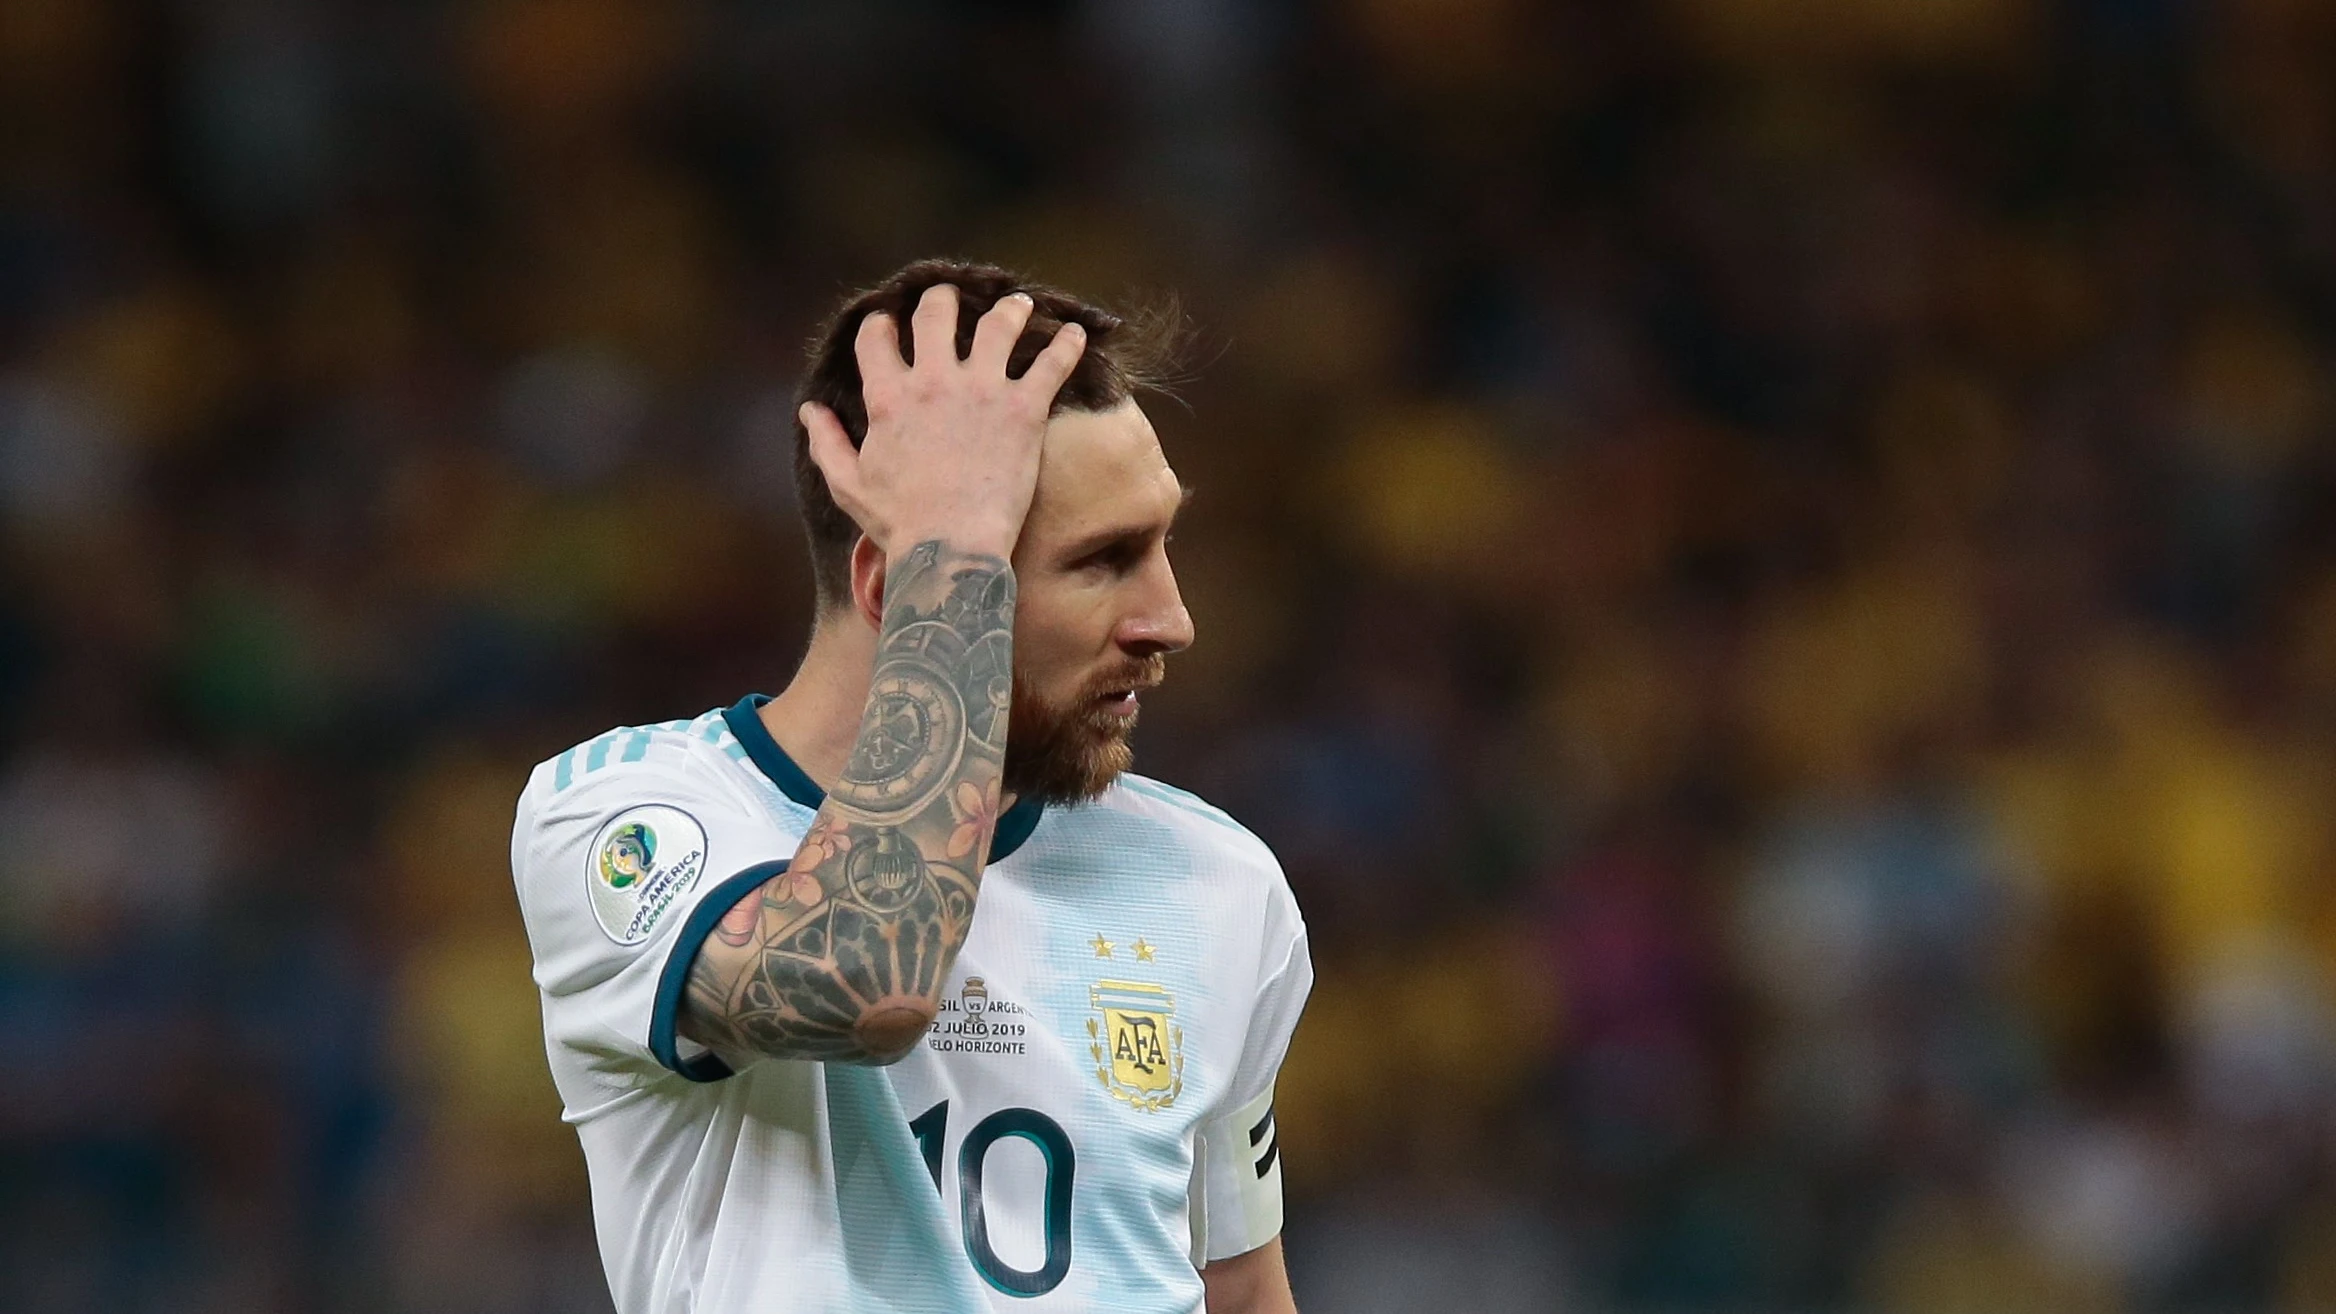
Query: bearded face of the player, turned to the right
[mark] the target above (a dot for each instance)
(1099, 604)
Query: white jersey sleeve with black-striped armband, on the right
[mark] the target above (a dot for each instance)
(1237, 1196)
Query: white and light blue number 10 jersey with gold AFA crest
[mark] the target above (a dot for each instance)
(1090, 1119)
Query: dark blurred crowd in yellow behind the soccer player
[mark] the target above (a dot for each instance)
(1765, 565)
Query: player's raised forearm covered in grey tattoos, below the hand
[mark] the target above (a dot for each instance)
(842, 957)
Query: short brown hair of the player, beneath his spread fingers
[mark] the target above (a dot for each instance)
(1125, 357)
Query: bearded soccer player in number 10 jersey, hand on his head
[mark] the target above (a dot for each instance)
(898, 990)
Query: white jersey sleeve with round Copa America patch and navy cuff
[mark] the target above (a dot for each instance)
(620, 880)
